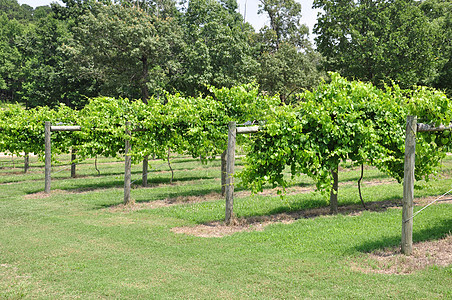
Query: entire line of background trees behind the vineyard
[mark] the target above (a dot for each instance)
(149, 48)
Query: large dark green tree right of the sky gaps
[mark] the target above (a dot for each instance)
(377, 40)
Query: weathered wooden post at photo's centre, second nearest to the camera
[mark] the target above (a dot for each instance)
(230, 163)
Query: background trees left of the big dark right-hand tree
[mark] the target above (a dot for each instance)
(140, 49)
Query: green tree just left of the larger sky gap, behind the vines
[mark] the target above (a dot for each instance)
(218, 50)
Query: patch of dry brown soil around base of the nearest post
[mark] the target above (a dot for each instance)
(391, 261)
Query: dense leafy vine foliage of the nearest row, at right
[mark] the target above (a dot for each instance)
(346, 121)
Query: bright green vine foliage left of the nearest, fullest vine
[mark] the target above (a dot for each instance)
(194, 126)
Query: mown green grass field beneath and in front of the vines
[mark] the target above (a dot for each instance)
(80, 243)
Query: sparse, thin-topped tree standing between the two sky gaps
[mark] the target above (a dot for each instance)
(288, 64)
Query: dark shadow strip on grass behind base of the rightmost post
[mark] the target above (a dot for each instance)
(434, 233)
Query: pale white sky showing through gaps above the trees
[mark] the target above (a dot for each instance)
(248, 8)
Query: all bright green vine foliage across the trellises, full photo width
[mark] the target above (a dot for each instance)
(339, 121)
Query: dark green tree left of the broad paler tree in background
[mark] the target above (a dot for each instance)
(46, 80)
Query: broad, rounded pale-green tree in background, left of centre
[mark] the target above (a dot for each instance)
(130, 51)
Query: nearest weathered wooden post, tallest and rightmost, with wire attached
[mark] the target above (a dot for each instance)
(408, 186)
